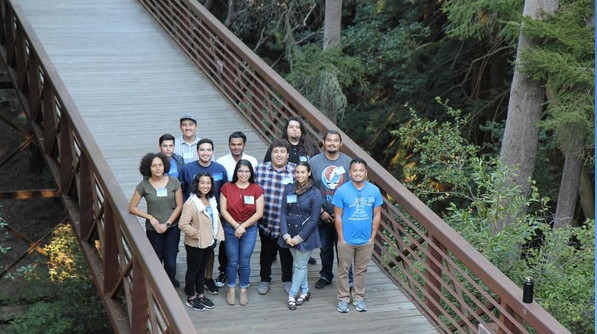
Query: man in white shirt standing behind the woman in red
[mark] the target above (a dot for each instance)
(236, 144)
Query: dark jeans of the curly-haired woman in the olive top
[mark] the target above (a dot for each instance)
(166, 248)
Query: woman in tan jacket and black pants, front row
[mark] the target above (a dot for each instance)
(201, 226)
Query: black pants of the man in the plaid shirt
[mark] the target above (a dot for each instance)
(269, 248)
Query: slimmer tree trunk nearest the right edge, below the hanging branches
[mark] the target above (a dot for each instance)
(569, 186)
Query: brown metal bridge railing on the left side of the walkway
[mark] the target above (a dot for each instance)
(134, 288)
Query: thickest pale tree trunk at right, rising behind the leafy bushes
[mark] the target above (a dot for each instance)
(525, 106)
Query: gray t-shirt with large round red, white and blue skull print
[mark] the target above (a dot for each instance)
(329, 175)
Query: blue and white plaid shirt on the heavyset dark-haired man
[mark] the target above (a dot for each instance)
(273, 182)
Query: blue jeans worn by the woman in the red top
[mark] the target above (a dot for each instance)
(239, 253)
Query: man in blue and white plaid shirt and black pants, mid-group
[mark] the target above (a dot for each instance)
(273, 176)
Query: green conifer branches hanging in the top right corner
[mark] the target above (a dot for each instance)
(564, 58)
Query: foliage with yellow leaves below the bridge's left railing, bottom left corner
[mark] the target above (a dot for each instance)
(62, 298)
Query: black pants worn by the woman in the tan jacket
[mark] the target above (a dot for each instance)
(196, 262)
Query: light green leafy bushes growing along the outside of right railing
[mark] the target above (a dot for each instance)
(561, 261)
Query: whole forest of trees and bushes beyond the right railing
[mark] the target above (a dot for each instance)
(482, 108)
